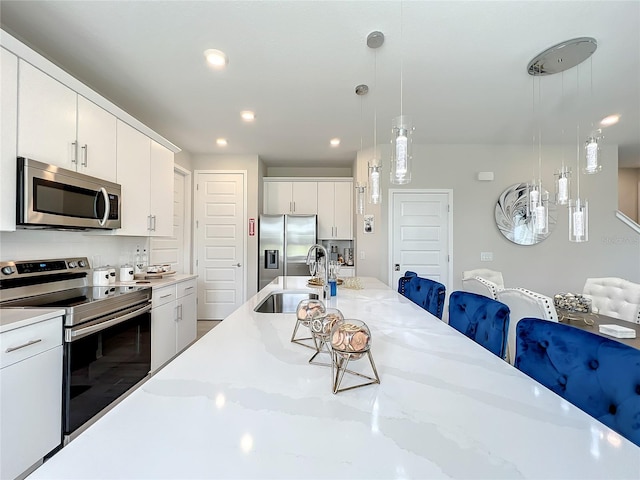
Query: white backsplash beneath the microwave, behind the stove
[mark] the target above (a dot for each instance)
(46, 244)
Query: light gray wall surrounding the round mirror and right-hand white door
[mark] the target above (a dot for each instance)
(552, 266)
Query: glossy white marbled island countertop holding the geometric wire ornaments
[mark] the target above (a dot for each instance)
(242, 402)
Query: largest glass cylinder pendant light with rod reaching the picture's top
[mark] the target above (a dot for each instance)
(402, 131)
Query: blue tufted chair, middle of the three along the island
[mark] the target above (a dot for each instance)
(484, 320)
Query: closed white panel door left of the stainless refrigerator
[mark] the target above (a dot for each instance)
(220, 209)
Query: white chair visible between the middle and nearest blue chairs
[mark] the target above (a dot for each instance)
(524, 303)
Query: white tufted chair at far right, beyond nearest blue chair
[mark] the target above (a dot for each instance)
(615, 297)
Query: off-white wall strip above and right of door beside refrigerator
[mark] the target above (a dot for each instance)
(250, 163)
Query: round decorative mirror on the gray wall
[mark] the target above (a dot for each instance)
(515, 221)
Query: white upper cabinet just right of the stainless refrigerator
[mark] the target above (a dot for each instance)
(335, 210)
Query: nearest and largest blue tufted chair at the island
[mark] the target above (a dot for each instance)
(598, 375)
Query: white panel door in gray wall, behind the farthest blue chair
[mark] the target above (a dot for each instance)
(421, 235)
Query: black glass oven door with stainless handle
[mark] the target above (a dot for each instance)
(102, 360)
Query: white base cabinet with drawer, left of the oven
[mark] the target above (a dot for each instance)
(30, 395)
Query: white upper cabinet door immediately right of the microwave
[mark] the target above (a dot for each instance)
(133, 159)
